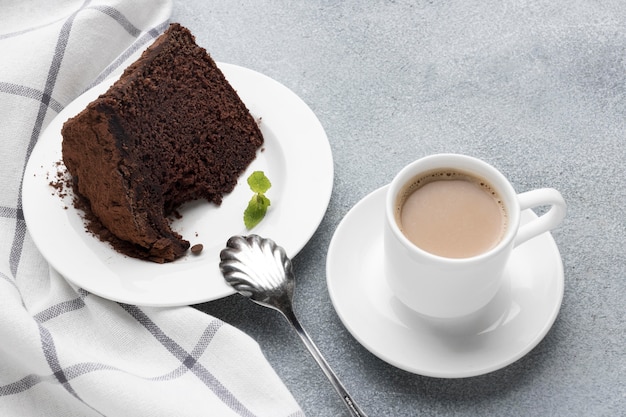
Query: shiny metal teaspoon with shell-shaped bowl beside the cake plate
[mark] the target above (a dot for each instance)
(260, 270)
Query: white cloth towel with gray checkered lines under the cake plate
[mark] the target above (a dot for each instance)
(65, 352)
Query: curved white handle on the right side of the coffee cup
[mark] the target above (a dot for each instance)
(549, 220)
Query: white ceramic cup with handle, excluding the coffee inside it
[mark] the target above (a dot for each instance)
(443, 287)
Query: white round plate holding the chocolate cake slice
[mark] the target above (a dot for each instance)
(296, 158)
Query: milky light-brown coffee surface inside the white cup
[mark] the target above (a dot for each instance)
(451, 213)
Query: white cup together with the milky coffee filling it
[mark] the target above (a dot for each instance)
(459, 276)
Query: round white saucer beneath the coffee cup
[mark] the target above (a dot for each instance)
(505, 330)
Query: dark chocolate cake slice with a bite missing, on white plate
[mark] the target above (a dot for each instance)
(170, 130)
